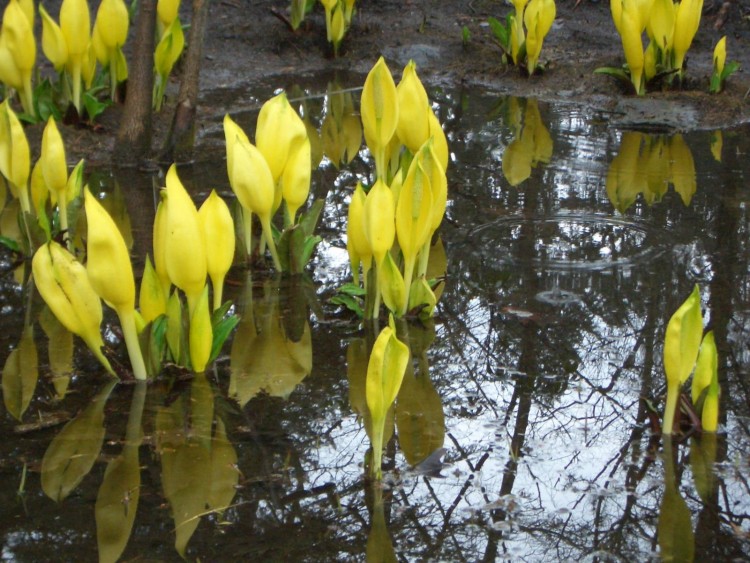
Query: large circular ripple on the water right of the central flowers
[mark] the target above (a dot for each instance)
(568, 241)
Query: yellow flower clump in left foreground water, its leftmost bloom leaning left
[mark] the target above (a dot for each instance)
(181, 235)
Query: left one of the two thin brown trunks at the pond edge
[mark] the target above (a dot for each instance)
(133, 140)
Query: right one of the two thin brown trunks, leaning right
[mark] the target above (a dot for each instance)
(179, 144)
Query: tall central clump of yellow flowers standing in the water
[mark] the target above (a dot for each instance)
(407, 201)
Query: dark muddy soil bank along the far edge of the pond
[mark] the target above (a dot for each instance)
(247, 42)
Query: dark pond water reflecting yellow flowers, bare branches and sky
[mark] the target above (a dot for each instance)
(523, 430)
